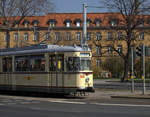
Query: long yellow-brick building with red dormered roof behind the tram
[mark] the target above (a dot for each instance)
(67, 28)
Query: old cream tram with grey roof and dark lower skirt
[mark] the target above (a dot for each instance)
(46, 68)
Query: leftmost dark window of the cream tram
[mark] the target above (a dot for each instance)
(7, 64)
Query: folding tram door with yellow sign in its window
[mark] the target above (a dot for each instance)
(57, 71)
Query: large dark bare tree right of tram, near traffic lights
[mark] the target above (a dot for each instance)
(131, 15)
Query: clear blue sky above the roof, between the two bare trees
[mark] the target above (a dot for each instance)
(75, 6)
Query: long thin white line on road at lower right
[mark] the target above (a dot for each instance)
(124, 105)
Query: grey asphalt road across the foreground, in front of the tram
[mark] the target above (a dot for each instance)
(13, 106)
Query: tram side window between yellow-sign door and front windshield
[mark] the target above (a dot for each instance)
(73, 64)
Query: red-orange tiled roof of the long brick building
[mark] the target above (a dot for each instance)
(59, 18)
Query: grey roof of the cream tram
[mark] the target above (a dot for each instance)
(41, 49)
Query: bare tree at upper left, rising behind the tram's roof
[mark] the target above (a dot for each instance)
(14, 11)
